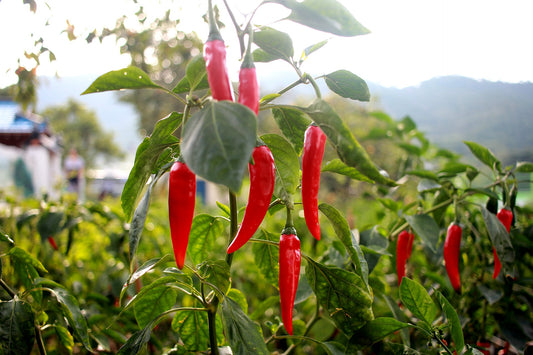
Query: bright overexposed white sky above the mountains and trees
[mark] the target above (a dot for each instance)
(411, 40)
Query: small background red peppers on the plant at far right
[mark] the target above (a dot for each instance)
(451, 251)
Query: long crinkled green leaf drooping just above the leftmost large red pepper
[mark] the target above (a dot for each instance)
(147, 160)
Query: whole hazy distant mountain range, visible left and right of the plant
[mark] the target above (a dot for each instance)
(449, 110)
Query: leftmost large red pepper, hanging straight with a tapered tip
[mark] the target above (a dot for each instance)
(181, 200)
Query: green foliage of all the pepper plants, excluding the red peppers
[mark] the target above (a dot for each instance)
(343, 287)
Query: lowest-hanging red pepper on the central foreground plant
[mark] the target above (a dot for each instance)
(289, 272)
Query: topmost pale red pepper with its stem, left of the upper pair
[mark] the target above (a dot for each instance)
(215, 62)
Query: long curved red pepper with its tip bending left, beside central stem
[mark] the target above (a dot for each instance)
(262, 181)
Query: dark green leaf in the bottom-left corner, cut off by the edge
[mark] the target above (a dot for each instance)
(17, 333)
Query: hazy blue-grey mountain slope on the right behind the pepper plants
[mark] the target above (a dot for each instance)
(452, 109)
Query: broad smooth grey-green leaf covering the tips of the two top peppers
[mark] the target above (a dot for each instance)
(218, 141)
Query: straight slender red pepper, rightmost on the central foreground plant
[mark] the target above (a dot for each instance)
(314, 145)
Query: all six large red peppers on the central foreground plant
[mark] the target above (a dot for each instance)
(182, 181)
